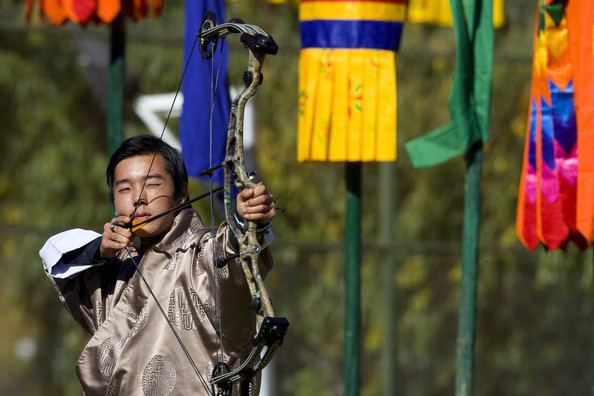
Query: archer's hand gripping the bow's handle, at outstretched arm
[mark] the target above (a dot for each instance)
(256, 205)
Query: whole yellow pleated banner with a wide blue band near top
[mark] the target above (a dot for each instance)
(347, 79)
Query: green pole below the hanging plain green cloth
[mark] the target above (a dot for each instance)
(470, 239)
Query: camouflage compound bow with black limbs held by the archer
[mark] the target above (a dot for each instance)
(271, 329)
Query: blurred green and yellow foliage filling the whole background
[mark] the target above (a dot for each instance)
(534, 320)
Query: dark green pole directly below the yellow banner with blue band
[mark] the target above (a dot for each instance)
(352, 281)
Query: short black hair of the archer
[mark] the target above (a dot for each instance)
(149, 145)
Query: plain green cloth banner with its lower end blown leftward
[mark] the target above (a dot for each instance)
(470, 99)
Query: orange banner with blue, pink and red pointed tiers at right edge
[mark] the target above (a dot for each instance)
(559, 128)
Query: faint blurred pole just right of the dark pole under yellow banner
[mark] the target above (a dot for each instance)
(387, 204)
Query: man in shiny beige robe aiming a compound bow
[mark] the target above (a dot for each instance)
(156, 311)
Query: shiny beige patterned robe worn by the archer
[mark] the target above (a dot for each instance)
(133, 351)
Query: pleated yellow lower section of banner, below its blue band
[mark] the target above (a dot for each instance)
(347, 105)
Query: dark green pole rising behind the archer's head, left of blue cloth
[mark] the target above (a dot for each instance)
(116, 85)
